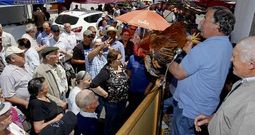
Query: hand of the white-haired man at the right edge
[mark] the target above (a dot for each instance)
(201, 120)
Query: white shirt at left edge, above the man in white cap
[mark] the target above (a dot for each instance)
(8, 40)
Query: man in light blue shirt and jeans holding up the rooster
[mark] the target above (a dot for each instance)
(203, 71)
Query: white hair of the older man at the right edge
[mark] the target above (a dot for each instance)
(247, 49)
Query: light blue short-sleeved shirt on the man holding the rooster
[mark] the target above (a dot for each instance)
(207, 66)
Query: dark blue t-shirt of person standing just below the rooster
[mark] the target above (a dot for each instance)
(138, 80)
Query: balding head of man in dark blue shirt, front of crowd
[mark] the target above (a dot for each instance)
(84, 98)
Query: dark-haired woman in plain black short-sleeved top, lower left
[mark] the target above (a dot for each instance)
(43, 111)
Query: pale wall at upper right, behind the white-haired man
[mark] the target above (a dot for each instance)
(244, 13)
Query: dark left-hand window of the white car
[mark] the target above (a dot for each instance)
(61, 19)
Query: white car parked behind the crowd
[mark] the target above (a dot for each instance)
(79, 20)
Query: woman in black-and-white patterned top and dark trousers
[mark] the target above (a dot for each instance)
(114, 80)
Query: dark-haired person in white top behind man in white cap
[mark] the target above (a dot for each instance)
(31, 55)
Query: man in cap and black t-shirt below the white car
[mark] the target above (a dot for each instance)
(81, 51)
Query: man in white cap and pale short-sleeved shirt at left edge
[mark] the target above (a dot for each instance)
(15, 77)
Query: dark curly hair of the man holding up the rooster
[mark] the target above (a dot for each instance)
(225, 18)
